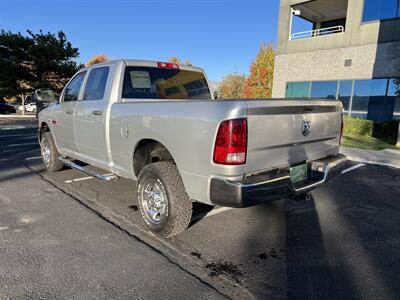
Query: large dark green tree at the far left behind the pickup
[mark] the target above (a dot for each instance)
(32, 61)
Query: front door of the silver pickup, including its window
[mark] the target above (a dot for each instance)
(63, 115)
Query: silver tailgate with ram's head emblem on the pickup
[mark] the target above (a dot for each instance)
(288, 132)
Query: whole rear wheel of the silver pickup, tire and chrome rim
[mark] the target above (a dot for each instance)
(163, 202)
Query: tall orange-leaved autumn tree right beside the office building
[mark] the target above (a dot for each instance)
(259, 82)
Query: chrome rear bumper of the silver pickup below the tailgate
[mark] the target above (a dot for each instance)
(274, 185)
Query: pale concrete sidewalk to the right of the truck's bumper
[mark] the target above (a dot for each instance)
(386, 157)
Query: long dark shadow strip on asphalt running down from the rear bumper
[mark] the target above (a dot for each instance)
(309, 275)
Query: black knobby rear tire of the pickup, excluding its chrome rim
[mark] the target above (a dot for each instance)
(179, 212)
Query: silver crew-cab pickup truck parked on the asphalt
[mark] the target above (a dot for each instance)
(157, 123)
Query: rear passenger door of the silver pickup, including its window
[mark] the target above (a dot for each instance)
(91, 116)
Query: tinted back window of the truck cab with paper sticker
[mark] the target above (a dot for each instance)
(159, 83)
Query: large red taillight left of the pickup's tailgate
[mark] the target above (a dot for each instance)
(231, 142)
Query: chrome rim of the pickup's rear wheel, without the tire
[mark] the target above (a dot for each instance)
(155, 201)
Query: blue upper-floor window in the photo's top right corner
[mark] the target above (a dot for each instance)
(379, 9)
